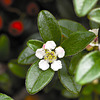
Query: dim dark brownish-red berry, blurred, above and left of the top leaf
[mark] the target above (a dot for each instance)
(32, 9)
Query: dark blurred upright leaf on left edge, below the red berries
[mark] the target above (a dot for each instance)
(4, 47)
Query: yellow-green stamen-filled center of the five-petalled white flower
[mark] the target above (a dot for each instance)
(50, 56)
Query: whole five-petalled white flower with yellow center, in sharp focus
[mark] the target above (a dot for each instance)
(50, 56)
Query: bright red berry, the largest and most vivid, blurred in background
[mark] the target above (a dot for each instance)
(16, 28)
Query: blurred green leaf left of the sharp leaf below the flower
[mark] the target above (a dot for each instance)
(17, 69)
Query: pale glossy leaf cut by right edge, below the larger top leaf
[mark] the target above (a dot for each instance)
(94, 15)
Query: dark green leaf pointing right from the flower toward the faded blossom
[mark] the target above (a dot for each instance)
(77, 42)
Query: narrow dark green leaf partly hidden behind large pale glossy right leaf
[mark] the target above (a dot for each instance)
(74, 62)
